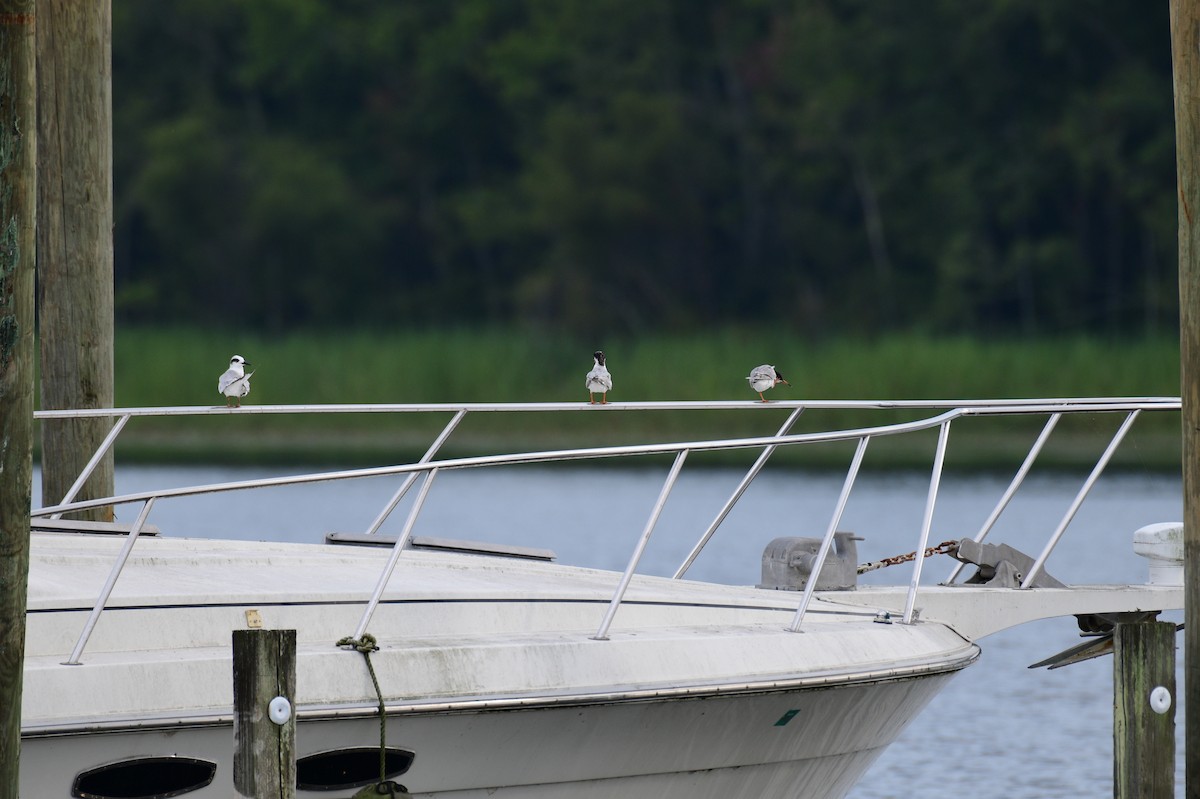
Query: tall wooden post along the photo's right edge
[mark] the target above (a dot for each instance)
(1186, 68)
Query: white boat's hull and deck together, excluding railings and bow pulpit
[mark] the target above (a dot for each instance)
(700, 692)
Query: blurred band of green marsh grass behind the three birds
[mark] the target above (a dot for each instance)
(181, 367)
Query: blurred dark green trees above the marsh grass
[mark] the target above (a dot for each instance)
(621, 166)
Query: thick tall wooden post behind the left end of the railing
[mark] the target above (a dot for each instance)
(75, 241)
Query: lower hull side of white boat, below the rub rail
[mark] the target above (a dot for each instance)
(687, 749)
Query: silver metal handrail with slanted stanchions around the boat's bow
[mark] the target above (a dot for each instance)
(430, 467)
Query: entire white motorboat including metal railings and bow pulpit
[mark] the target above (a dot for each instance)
(505, 674)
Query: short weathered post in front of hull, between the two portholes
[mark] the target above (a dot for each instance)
(265, 668)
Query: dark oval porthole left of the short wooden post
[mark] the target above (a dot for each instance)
(145, 778)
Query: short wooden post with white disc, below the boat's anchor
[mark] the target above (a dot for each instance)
(1143, 729)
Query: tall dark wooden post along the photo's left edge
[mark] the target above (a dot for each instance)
(19, 193)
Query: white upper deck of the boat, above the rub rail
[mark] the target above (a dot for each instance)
(507, 633)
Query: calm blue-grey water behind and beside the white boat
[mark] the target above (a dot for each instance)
(1000, 730)
